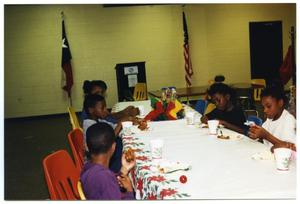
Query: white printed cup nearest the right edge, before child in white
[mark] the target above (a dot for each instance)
(282, 157)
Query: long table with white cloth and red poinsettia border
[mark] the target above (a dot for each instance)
(221, 169)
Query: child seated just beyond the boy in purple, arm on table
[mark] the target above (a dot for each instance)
(95, 106)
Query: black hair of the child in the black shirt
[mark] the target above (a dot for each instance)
(223, 89)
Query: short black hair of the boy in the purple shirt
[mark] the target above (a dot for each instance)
(99, 138)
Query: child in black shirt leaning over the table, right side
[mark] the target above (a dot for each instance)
(226, 111)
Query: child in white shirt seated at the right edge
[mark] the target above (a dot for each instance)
(279, 130)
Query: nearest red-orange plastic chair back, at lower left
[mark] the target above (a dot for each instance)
(61, 176)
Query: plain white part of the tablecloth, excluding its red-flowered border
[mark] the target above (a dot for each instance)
(221, 169)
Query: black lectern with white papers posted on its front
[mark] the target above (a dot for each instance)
(128, 75)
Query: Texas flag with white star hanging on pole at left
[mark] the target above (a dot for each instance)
(67, 79)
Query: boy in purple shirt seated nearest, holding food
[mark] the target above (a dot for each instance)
(98, 181)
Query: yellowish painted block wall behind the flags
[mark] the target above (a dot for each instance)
(102, 37)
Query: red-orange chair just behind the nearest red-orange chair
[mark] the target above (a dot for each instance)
(76, 141)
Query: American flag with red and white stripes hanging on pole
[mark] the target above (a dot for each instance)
(187, 59)
